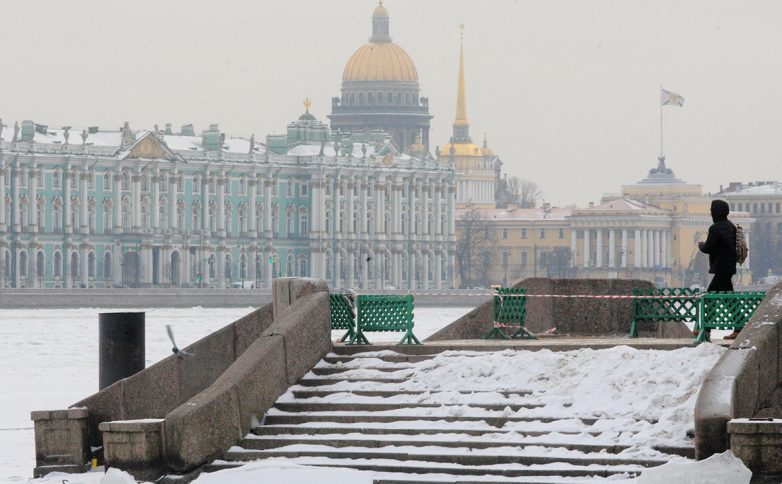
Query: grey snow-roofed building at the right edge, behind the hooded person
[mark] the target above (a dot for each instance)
(763, 201)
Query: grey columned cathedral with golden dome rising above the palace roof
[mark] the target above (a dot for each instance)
(380, 91)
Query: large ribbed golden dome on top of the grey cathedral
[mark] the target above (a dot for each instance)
(380, 62)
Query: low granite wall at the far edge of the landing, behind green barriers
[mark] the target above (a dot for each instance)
(574, 316)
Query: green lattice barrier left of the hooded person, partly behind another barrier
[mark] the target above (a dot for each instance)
(665, 304)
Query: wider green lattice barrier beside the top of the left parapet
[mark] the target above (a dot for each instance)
(384, 313)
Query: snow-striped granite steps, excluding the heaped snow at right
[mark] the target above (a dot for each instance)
(367, 411)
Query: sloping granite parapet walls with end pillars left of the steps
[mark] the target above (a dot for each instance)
(205, 403)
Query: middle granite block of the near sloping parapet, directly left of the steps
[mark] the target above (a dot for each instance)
(260, 378)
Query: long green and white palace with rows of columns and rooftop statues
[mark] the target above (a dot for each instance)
(158, 208)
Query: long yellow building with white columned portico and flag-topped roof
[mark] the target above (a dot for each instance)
(650, 232)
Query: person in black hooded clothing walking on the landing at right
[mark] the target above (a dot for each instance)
(721, 246)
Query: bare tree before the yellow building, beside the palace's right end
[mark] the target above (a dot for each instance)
(474, 249)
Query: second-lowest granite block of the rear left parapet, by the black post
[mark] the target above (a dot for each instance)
(152, 392)
